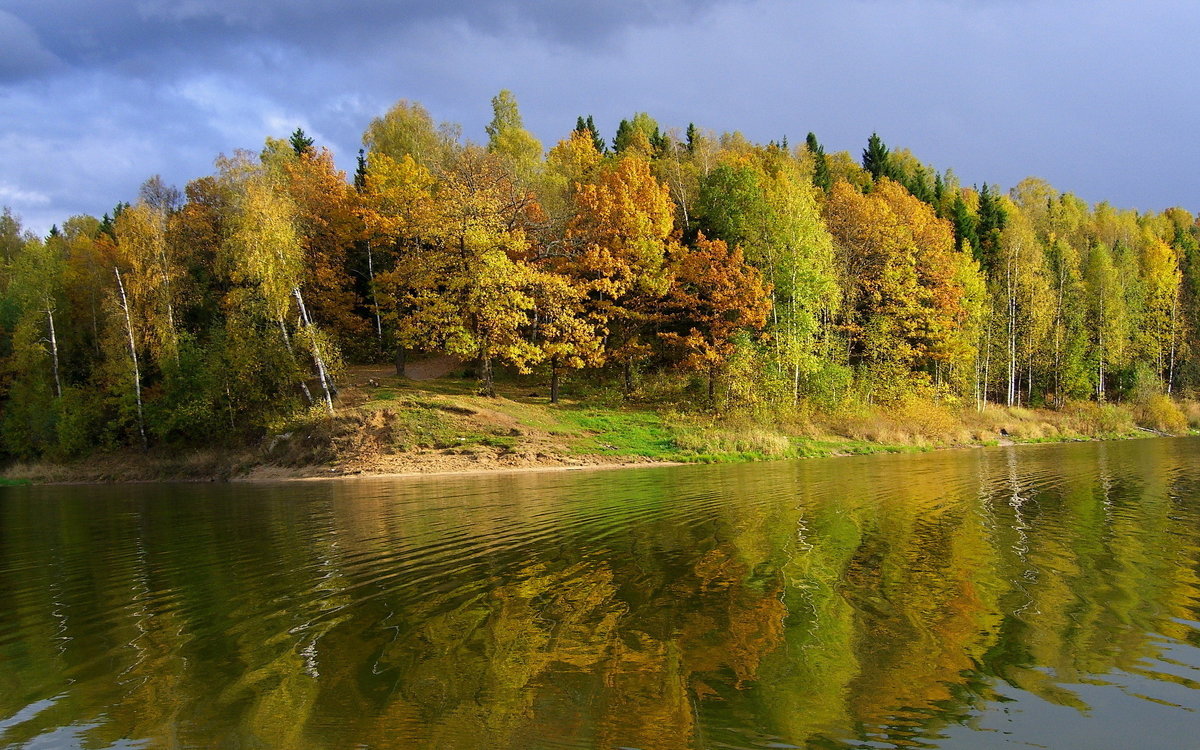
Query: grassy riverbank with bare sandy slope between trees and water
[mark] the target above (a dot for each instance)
(394, 428)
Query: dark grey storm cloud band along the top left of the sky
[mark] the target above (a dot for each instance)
(137, 35)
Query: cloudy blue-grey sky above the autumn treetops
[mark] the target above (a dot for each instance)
(1096, 97)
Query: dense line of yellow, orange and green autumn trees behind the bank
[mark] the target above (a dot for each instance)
(782, 277)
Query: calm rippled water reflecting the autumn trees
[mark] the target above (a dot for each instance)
(1041, 597)
